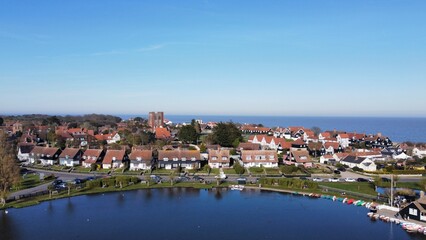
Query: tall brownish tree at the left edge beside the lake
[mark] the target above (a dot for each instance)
(9, 170)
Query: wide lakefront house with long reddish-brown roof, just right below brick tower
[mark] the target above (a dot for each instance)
(170, 159)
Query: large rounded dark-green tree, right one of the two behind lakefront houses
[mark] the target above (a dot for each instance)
(226, 134)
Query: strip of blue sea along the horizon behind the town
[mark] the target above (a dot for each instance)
(398, 129)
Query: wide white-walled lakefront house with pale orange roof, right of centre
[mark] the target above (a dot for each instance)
(259, 158)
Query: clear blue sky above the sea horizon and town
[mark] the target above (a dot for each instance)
(304, 58)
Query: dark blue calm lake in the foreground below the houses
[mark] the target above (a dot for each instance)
(194, 214)
